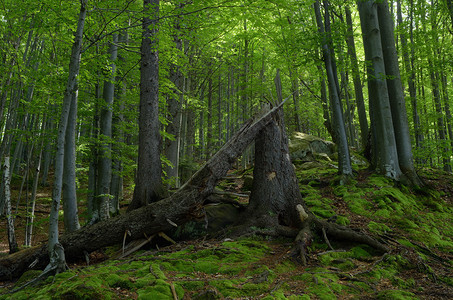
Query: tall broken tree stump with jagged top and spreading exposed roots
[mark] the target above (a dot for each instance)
(276, 206)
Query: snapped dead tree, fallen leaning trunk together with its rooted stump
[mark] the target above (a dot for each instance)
(187, 203)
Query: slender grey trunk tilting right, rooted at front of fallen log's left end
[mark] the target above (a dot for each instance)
(71, 88)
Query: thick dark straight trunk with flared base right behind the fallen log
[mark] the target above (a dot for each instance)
(148, 187)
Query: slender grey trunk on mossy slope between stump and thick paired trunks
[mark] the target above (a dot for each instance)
(344, 159)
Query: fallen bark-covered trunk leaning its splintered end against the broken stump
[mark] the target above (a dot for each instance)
(182, 206)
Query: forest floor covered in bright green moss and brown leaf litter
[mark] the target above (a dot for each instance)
(417, 226)
